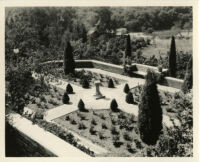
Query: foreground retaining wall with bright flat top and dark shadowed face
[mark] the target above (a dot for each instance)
(23, 139)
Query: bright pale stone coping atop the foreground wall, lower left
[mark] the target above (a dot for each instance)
(44, 138)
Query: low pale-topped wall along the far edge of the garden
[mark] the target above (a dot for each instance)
(138, 70)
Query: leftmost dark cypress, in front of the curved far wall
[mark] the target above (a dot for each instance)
(69, 64)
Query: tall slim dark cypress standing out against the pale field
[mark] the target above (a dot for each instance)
(172, 58)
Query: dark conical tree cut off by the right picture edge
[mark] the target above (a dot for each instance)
(188, 81)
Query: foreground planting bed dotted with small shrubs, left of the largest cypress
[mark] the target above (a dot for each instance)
(118, 137)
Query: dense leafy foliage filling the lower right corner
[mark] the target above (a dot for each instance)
(176, 141)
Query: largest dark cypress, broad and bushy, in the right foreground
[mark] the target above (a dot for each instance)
(150, 112)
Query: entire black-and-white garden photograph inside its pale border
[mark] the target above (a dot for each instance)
(99, 81)
